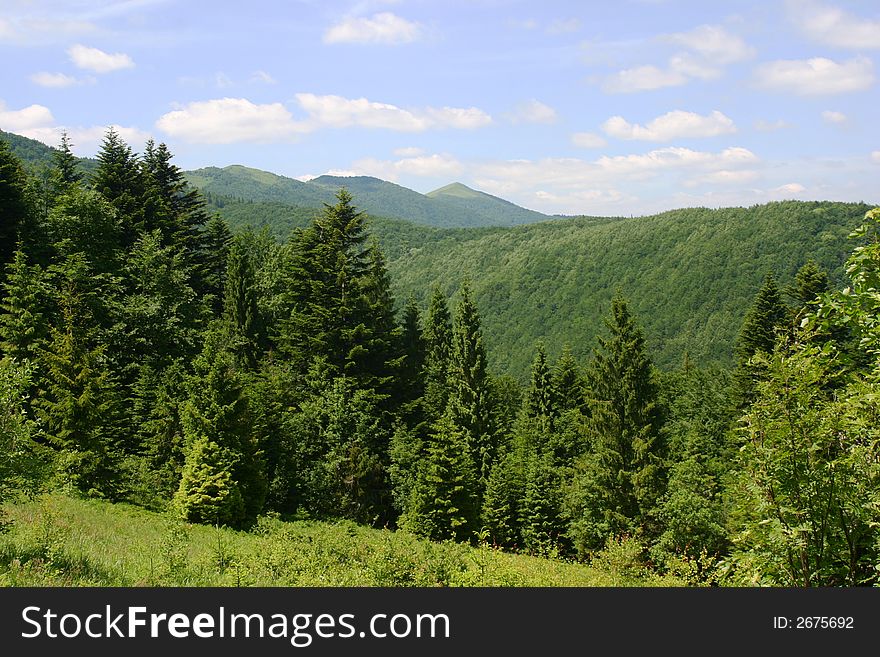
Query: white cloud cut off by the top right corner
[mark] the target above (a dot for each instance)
(833, 26)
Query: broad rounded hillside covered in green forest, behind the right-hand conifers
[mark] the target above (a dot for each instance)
(690, 275)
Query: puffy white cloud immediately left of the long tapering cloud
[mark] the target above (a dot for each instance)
(229, 120)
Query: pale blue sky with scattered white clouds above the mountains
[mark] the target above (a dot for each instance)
(602, 108)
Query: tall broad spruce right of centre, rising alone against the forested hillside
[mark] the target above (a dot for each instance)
(621, 479)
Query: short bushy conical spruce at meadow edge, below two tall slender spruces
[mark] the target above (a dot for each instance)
(445, 504)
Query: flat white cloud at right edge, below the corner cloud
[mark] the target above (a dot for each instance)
(816, 76)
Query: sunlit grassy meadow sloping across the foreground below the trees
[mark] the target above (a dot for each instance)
(57, 540)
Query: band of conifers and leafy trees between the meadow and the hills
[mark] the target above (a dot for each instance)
(150, 355)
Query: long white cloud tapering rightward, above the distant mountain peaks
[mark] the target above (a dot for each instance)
(339, 112)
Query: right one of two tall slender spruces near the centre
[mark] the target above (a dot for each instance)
(470, 400)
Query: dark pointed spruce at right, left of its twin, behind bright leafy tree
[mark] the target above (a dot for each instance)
(758, 334)
